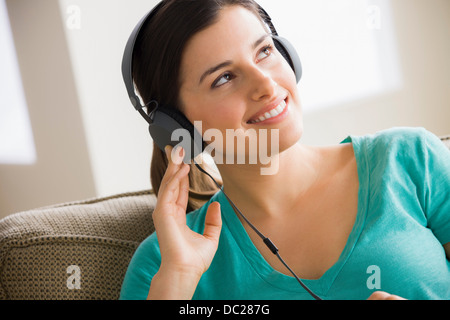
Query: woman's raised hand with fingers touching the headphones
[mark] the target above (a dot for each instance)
(185, 254)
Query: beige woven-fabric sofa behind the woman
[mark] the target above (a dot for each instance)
(77, 250)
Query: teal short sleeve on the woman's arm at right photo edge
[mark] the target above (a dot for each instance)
(437, 186)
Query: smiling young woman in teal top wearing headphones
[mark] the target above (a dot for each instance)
(356, 220)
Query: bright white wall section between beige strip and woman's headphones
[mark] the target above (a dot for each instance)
(118, 140)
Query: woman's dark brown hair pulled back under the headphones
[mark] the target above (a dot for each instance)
(156, 71)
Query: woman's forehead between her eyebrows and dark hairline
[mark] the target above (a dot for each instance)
(235, 29)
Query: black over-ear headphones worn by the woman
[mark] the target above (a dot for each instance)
(163, 121)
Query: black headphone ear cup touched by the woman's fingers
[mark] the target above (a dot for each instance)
(170, 126)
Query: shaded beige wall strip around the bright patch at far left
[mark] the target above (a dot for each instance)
(61, 169)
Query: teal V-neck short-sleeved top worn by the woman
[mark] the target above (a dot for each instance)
(396, 244)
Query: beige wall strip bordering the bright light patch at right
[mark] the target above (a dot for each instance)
(422, 33)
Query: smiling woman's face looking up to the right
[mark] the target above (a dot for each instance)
(232, 77)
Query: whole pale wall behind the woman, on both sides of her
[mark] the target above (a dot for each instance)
(110, 150)
